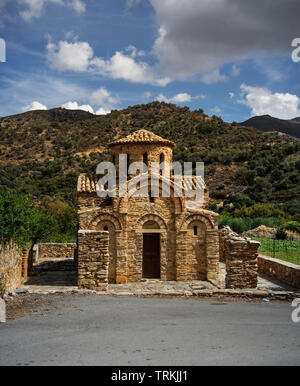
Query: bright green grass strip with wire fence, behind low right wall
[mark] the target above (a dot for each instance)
(287, 250)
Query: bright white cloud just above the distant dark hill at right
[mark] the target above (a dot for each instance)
(262, 101)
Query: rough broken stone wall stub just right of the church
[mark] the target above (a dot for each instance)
(241, 256)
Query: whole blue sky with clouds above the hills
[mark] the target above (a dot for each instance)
(231, 58)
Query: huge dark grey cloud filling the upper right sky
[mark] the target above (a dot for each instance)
(198, 37)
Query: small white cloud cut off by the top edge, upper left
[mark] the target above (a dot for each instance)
(35, 8)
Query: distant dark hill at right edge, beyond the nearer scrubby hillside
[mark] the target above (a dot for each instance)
(267, 123)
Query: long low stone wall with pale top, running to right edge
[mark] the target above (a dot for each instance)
(285, 272)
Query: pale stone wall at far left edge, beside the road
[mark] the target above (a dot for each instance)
(13, 267)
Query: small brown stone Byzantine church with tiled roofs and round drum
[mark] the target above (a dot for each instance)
(132, 238)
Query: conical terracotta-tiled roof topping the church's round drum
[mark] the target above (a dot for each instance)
(142, 136)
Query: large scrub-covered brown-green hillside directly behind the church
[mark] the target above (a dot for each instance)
(42, 152)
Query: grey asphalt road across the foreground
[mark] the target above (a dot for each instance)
(93, 330)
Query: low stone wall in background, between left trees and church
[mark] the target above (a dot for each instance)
(48, 251)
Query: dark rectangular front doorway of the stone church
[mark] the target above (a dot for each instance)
(151, 255)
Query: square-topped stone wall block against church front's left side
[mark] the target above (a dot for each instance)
(93, 259)
